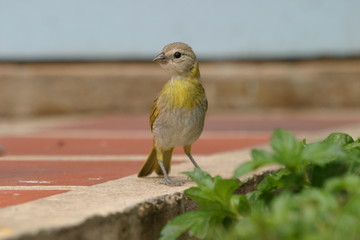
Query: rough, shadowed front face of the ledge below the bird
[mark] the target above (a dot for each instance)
(143, 221)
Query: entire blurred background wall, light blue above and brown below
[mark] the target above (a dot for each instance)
(66, 57)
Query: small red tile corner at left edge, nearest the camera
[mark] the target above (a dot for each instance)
(13, 197)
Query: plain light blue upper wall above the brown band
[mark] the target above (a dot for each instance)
(137, 29)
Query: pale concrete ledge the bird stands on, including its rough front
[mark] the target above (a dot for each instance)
(127, 208)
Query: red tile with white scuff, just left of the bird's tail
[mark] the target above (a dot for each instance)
(65, 173)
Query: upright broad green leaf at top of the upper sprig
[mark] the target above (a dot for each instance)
(287, 150)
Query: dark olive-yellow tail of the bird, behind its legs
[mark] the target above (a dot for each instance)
(151, 163)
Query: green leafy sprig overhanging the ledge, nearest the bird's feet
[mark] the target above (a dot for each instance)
(218, 207)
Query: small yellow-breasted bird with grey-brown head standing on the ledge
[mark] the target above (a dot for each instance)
(178, 112)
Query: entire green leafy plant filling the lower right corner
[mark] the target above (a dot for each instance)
(316, 187)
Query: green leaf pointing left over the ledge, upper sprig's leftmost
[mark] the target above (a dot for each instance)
(260, 158)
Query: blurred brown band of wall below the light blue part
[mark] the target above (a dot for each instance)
(32, 89)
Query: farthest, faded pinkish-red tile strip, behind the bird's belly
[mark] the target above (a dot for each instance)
(225, 122)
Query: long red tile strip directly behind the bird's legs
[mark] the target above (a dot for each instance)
(103, 146)
